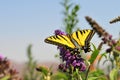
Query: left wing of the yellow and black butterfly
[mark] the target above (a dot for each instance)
(60, 40)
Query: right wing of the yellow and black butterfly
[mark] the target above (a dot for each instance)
(83, 37)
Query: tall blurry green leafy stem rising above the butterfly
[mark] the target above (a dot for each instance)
(70, 15)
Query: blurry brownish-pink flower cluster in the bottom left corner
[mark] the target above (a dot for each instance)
(5, 70)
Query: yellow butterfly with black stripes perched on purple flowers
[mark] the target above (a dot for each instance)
(78, 39)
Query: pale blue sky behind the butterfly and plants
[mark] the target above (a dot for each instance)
(30, 21)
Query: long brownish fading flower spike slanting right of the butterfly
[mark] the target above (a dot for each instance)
(106, 37)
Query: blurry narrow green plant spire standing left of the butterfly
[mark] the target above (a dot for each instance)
(30, 72)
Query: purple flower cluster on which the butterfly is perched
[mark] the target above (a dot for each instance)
(69, 59)
